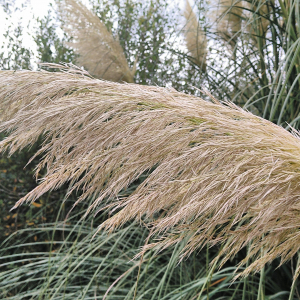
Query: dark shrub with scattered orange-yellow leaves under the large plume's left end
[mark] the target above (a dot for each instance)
(16, 180)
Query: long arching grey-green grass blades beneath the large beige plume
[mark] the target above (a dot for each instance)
(69, 262)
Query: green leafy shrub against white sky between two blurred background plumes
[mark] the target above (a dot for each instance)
(149, 34)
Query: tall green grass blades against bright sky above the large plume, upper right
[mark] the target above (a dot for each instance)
(261, 73)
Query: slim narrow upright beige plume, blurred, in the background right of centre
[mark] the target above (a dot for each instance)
(195, 37)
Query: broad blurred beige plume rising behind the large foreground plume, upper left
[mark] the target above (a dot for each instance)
(99, 52)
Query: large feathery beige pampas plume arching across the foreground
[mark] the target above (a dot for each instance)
(216, 174)
